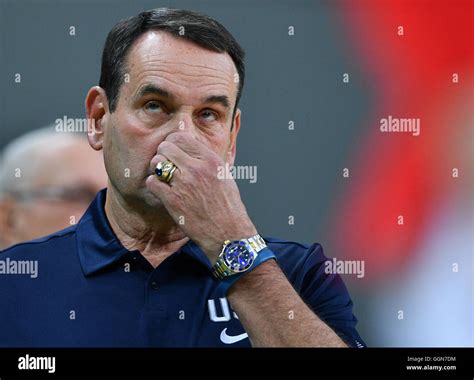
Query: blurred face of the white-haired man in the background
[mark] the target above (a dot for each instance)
(73, 173)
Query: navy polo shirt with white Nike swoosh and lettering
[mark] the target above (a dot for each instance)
(90, 291)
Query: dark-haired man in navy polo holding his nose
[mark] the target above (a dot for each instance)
(167, 251)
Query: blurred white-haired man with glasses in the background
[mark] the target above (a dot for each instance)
(47, 180)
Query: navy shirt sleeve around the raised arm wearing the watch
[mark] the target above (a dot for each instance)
(327, 295)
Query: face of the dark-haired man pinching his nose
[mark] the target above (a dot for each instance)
(172, 85)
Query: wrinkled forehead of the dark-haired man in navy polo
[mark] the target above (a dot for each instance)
(179, 65)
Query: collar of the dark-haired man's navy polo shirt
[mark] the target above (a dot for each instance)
(98, 246)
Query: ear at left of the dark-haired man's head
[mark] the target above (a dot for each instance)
(97, 111)
